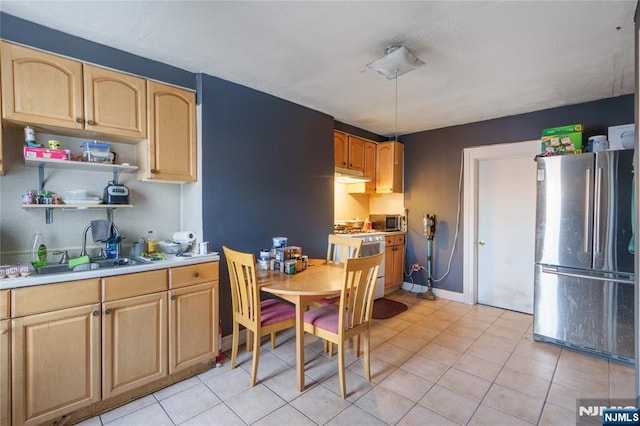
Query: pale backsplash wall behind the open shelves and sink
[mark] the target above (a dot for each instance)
(156, 206)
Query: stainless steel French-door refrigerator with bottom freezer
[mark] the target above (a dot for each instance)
(584, 270)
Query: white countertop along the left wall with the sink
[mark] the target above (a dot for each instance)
(170, 262)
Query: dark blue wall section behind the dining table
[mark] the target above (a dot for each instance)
(267, 172)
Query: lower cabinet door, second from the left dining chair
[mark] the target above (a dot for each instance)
(134, 342)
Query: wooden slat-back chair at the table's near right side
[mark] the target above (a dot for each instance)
(353, 316)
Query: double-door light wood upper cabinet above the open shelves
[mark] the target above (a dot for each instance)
(51, 91)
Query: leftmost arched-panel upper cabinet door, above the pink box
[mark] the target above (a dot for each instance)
(40, 88)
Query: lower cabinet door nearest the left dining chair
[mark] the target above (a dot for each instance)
(193, 325)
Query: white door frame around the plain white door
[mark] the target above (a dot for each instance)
(471, 157)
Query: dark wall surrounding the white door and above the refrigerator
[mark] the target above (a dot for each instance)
(432, 169)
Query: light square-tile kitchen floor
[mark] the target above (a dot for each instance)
(439, 363)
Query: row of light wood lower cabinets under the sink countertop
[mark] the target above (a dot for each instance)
(73, 346)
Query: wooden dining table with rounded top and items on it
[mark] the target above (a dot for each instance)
(322, 278)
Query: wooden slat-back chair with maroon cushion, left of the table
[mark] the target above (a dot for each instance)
(259, 318)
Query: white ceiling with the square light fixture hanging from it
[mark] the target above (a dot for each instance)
(484, 59)
